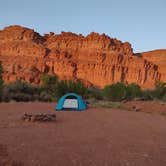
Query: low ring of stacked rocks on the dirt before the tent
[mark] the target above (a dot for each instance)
(39, 117)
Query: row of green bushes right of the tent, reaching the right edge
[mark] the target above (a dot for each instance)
(119, 92)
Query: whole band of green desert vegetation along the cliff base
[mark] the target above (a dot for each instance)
(51, 89)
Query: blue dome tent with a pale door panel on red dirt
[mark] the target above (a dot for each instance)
(71, 101)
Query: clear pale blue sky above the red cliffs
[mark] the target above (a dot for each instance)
(141, 22)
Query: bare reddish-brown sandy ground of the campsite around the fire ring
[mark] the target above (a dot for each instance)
(96, 137)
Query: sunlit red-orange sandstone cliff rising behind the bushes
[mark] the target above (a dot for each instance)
(95, 59)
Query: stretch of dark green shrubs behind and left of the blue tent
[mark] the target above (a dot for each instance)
(51, 89)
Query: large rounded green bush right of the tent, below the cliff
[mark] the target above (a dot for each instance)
(115, 92)
